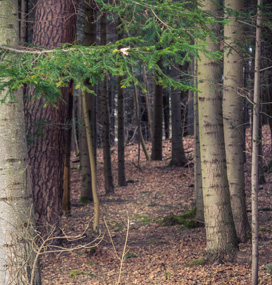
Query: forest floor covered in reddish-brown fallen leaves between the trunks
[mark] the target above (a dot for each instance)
(155, 253)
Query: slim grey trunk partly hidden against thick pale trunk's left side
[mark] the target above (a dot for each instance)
(197, 159)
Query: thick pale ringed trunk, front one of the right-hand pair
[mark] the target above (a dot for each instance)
(220, 231)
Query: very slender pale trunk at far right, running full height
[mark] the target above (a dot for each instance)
(255, 150)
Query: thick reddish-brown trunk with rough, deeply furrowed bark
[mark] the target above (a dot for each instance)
(54, 24)
